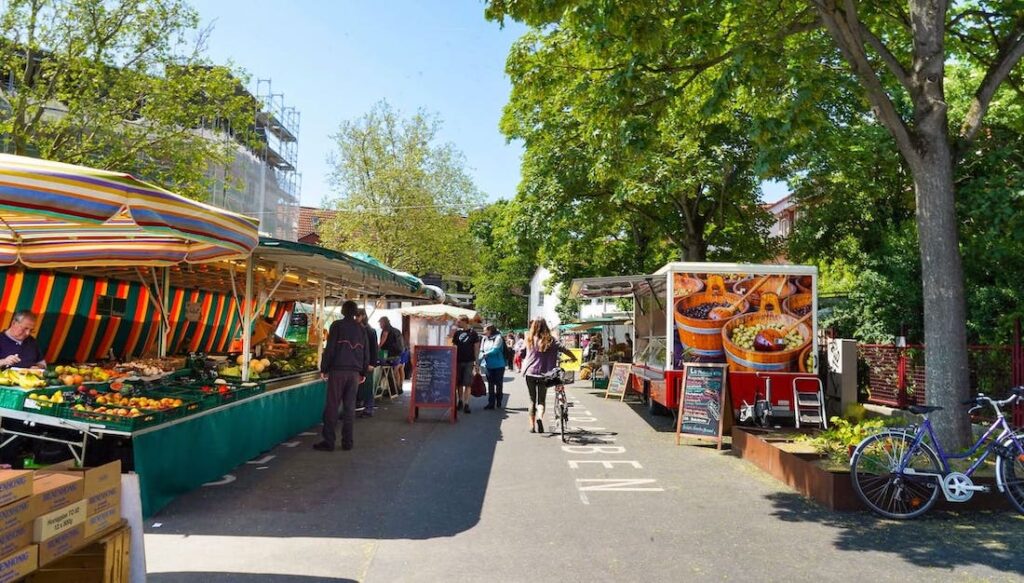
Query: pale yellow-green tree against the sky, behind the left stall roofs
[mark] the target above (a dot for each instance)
(403, 198)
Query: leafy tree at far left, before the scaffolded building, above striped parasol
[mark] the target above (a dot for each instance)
(118, 86)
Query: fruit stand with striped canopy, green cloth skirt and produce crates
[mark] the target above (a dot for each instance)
(178, 421)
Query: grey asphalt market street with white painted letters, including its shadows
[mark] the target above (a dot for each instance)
(486, 501)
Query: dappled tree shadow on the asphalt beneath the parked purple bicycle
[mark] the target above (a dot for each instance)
(944, 540)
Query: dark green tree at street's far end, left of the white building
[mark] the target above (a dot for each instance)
(507, 263)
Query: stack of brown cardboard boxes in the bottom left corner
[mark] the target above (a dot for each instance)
(52, 513)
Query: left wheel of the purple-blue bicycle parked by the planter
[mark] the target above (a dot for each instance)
(889, 493)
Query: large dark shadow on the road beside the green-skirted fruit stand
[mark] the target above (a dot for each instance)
(402, 481)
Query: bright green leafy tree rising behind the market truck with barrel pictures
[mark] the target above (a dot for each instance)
(689, 177)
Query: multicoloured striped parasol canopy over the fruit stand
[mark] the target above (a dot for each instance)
(55, 216)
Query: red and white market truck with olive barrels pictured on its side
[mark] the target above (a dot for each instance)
(712, 313)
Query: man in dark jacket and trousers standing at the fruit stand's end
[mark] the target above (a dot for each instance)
(345, 365)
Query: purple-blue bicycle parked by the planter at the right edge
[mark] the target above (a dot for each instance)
(900, 476)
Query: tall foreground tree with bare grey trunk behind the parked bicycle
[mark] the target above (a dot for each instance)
(897, 55)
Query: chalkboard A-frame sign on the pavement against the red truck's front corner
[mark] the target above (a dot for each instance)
(705, 411)
